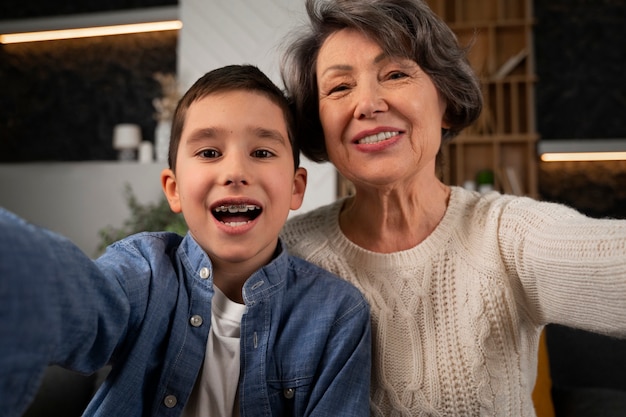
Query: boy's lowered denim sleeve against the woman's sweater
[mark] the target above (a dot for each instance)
(343, 385)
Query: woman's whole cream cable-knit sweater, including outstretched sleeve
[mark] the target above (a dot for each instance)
(456, 319)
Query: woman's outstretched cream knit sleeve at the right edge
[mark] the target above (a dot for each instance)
(572, 268)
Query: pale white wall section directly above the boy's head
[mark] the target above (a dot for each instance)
(222, 32)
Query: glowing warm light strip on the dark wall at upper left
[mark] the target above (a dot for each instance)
(91, 31)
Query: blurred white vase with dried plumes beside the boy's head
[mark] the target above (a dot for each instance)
(164, 106)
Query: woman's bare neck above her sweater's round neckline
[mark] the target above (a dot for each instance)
(388, 221)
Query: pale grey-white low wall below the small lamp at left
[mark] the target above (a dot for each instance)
(77, 199)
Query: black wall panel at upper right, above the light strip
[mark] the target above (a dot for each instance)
(580, 58)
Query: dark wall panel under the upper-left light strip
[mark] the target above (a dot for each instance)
(61, 99)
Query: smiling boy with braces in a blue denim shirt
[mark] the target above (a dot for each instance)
(221, 322)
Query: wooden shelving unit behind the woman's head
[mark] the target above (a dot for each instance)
(503, 140)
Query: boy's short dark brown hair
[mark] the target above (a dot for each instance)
(230, 78)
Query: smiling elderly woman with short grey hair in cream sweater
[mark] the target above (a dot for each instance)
(460, 284)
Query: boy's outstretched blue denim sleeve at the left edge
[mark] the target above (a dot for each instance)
(54, 309)
